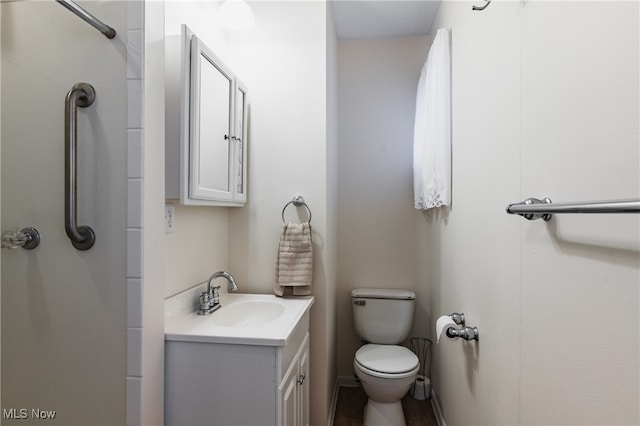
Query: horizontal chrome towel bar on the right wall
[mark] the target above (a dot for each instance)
(533, 208)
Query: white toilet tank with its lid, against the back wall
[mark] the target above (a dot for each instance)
(383, 316)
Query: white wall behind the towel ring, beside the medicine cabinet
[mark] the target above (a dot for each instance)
(283, 62)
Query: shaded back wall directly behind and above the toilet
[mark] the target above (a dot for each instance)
(379, 245)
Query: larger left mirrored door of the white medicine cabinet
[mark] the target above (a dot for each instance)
(210, 157)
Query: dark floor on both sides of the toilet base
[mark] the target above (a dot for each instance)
(351, 402)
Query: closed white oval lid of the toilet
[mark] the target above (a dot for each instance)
(391, 359)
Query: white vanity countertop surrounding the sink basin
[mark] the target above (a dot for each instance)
(182, 323)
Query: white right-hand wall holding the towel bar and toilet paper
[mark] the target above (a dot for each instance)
(545, 103)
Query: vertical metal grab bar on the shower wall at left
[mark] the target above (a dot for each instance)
(80, 95)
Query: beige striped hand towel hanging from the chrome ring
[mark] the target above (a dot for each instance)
(294, 264)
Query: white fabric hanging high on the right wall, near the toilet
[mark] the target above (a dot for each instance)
(432, 131)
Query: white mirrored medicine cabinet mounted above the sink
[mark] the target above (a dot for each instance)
(205, 126)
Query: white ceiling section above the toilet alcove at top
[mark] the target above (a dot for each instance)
(383, 18)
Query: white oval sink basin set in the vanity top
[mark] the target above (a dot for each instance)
(247, 314)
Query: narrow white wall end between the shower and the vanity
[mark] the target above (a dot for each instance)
(145, 386)
